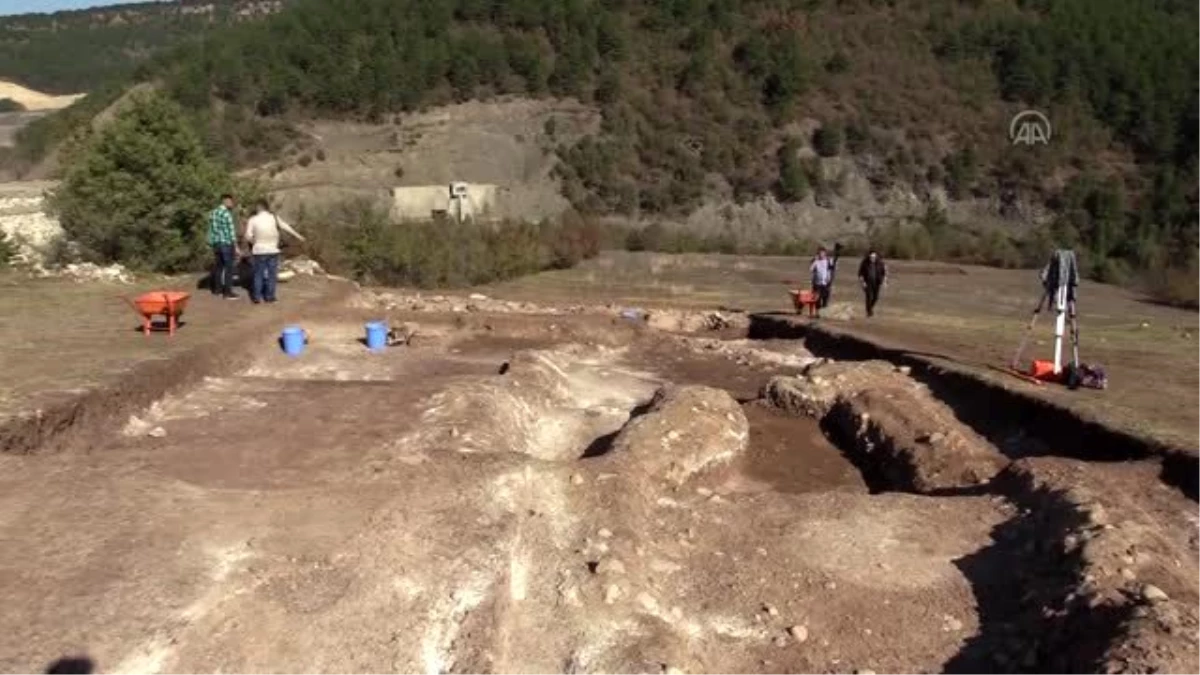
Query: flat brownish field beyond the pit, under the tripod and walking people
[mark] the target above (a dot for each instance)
(967, 316)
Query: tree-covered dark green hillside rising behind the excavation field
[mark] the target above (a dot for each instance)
(734, 109)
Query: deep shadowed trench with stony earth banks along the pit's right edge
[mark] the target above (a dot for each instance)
(1058, 589)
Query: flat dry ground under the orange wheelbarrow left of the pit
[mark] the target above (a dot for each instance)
(63, 339)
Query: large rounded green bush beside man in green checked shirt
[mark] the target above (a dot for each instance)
(140, 192)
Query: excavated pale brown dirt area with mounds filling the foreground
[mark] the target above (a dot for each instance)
(575, 492)
